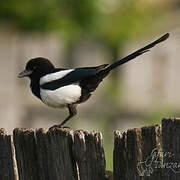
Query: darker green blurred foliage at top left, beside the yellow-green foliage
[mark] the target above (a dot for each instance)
(65, 16)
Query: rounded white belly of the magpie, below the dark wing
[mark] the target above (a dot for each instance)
(62, 96)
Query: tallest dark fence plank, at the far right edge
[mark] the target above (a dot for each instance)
(171, 148)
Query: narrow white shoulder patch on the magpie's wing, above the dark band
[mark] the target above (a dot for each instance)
(54, 76)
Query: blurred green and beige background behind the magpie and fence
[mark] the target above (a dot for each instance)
(88, 33)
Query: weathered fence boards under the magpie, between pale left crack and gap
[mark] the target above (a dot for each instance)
(59, 154)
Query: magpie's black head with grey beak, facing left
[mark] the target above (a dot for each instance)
(37, 67)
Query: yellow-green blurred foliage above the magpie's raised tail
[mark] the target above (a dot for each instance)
(129, 19)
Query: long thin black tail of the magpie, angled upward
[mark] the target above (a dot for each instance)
(136, 53)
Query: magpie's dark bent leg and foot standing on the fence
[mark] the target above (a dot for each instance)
(72, 112)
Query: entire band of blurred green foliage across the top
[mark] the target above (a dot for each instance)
(114, 21)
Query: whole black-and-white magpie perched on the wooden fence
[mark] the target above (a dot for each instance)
(59, 87)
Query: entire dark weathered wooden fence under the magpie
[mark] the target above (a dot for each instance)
(139, 154)
